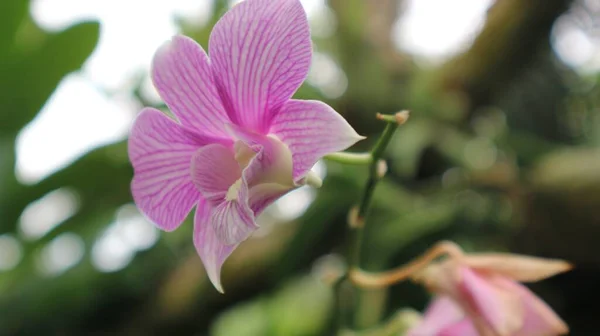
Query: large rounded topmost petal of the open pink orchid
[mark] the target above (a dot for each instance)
(260, 52)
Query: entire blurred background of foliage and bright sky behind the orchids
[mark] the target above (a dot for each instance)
(501, 153)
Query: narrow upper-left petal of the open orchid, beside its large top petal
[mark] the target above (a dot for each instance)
(182, 75)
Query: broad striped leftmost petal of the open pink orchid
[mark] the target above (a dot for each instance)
(160, 151)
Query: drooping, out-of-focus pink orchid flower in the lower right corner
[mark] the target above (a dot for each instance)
(479, 295)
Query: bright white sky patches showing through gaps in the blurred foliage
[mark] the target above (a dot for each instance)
(80, 115)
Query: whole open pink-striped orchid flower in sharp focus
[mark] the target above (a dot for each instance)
(239, 141)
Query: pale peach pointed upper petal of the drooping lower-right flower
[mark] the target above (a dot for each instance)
(517, 267)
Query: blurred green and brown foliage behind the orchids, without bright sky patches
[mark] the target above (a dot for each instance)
(501, 153)
